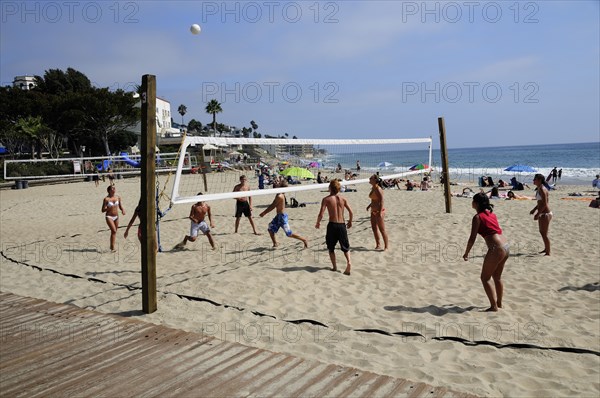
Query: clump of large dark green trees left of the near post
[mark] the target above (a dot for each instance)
(66, 102)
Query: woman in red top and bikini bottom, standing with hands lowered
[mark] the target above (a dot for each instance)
(486, 224)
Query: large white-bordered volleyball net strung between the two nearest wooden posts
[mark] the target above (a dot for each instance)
(212, 166)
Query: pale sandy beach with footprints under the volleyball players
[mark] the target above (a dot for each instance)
(415, 311)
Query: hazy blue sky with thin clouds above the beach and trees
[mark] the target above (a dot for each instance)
(500, 73)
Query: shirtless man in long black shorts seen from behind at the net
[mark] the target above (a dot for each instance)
(336, 228)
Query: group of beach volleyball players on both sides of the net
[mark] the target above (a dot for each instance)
(484, 223)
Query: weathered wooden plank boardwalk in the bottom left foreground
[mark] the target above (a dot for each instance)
(49, 349)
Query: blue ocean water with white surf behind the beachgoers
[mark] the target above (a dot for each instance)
(579, 162)
